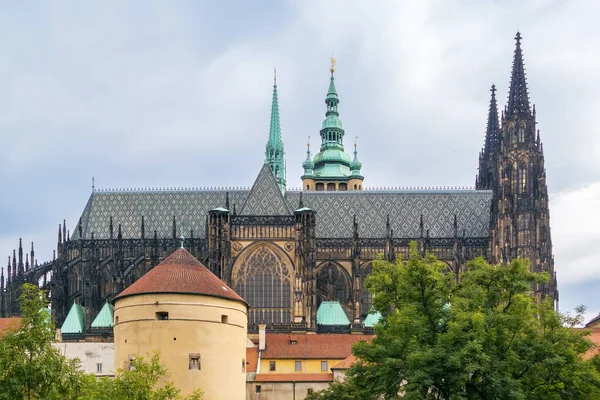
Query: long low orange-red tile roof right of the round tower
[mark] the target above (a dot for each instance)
(321, 346)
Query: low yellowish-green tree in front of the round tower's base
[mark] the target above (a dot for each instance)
(144, 380)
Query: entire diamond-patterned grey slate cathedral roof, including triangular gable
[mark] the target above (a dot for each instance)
(335, 210)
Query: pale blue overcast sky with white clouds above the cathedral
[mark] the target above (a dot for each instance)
(153, 94)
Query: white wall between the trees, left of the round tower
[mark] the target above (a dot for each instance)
(90, 355)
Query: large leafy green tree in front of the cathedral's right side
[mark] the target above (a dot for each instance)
(483, 337)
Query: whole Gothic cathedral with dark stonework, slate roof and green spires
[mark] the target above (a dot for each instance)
(286, 251)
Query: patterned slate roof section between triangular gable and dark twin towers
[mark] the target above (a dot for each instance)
(335, 211)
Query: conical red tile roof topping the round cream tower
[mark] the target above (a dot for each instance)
(181, 272)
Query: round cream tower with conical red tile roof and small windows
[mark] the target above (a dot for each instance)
(196, 321)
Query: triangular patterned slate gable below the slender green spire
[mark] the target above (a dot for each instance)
(265, 198)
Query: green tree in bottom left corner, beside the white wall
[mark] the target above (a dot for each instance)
(30, 367)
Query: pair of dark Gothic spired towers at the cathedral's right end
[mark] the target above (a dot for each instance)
(520, 215)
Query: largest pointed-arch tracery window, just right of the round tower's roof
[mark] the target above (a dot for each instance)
(264, 281)
